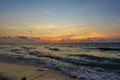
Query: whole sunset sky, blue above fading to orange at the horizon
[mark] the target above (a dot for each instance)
(59, 21)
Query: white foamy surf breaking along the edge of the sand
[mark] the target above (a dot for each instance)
(84, 72)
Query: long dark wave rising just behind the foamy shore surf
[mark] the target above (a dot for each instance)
(85, 60)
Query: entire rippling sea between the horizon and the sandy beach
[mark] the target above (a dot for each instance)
(89, 61)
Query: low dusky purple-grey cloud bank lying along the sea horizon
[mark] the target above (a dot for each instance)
(26, 39)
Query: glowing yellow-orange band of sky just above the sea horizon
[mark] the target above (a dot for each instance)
(56, 33)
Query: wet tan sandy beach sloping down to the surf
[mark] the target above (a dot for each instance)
(14, 69)
